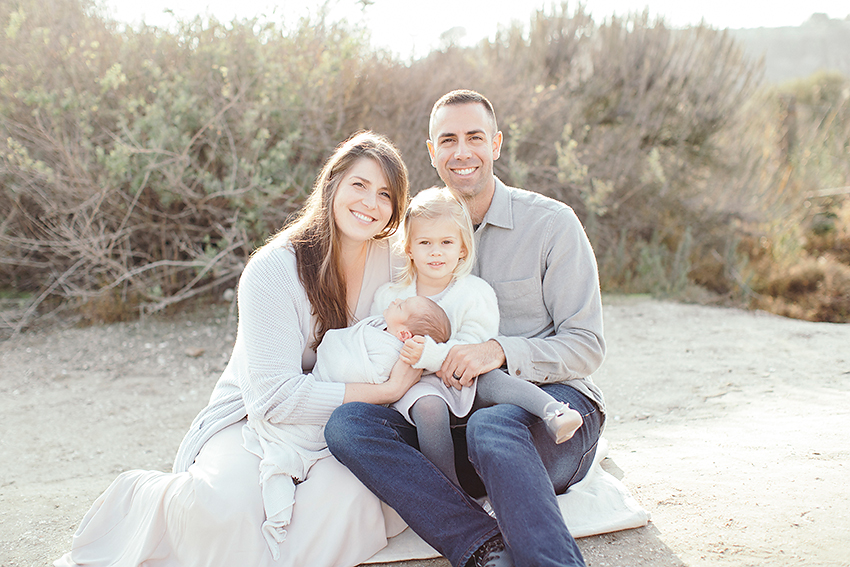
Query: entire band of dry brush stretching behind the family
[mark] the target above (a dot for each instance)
(139, 167)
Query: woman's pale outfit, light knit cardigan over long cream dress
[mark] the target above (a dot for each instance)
(209, 512)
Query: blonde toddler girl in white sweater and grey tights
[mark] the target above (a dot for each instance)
(439, 244)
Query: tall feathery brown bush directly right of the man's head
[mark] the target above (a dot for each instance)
(624, 121)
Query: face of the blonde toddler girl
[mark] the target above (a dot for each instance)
(435, 247)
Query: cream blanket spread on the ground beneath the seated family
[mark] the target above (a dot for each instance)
(598, 504)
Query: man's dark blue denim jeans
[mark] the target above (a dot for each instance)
(513, 455)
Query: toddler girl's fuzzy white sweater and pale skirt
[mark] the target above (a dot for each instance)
(473, 311)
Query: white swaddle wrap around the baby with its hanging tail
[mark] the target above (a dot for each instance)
(363, 352)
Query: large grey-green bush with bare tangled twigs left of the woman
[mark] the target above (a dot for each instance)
(149, 163)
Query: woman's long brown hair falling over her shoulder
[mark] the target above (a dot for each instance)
(313, 233)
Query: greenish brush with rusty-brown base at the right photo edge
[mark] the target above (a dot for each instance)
(800, 267)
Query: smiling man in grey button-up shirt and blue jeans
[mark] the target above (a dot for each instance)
(535, 254)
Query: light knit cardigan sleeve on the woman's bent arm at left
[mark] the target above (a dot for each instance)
(273, 314)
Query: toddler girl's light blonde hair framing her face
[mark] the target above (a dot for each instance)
(436, 203)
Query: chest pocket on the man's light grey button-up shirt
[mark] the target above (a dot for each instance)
(521, 308)
